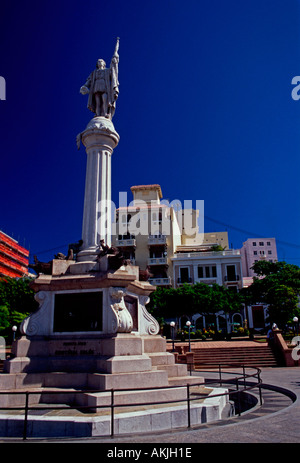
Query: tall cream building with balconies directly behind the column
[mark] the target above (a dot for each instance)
(148, 234)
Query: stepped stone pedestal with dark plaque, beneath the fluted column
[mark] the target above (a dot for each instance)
(92, 331)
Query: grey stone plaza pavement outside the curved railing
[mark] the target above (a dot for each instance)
(279, 422)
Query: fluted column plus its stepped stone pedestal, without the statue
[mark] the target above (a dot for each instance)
(92, 329)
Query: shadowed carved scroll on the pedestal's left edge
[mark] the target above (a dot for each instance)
(38, 322)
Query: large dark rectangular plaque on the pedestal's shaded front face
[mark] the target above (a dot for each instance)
(78, 312)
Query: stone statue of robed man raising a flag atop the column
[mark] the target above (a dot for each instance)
(102, 86)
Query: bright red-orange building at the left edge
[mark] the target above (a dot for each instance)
(14, 259)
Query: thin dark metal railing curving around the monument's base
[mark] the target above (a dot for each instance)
(239, 382)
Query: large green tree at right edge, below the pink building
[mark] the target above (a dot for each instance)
(277, 284)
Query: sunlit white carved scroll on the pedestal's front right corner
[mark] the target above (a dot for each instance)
(122, 320)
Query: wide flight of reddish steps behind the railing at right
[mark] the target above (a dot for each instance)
(256, 356)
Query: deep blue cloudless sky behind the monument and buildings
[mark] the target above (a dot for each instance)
(205, 110)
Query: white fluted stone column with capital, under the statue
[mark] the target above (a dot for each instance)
(99, 139)
